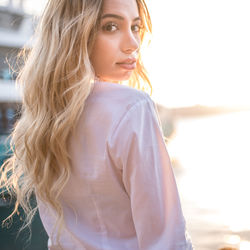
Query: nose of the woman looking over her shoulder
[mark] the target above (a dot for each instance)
(131, 42)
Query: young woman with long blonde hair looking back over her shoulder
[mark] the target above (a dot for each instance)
(90, 148)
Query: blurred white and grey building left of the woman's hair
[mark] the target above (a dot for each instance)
(16, 29)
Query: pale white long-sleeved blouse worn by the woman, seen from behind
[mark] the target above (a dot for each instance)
(122, 193)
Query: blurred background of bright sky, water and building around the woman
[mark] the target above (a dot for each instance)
(199, 65)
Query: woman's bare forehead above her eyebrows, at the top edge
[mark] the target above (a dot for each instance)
(121, 7)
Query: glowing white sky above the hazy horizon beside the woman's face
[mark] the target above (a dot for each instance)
(200, 51)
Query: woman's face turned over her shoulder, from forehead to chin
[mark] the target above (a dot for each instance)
(117, 42)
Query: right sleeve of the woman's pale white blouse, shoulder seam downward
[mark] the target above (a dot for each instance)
(138, 148)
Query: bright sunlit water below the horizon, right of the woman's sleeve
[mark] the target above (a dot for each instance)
(211, 156)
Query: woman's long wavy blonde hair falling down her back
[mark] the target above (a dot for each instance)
(55, 84)
